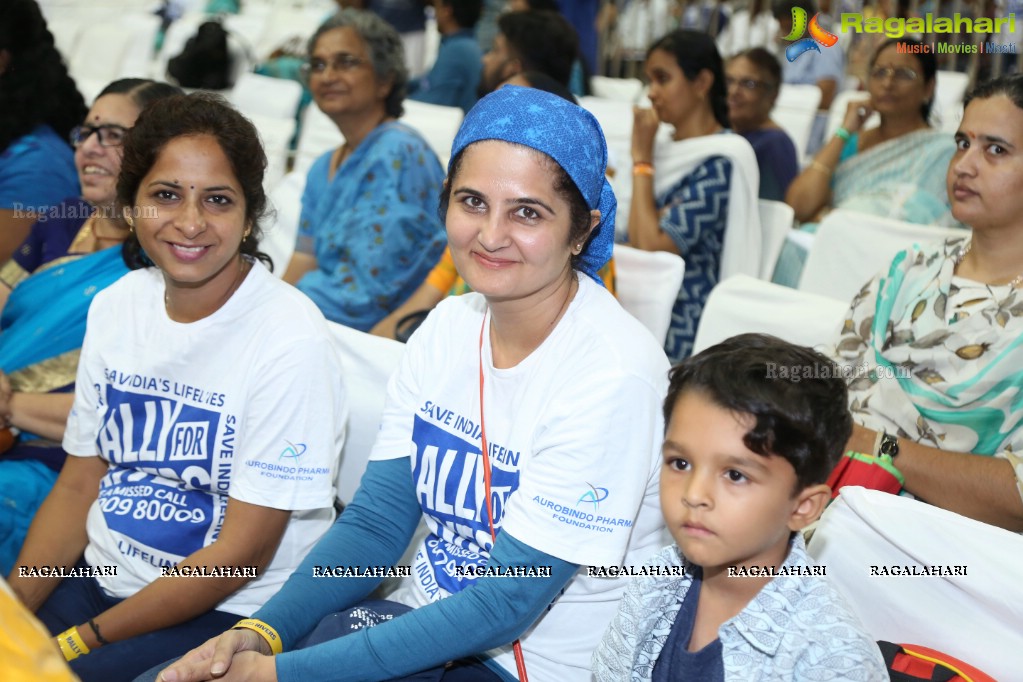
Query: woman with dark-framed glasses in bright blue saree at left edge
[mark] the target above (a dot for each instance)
(46, 291)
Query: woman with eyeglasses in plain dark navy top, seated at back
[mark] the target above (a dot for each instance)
(753, 78)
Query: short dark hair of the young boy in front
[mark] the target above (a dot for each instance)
(796, 396)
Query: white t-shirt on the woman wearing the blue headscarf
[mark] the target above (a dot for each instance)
(574, 434)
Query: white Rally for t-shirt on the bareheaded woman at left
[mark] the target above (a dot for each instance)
(247, 403)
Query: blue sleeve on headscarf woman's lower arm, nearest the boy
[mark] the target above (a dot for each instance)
(494, 612)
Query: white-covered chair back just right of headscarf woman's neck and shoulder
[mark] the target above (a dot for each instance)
(647, 285)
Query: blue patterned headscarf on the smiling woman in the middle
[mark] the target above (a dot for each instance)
(564, 131)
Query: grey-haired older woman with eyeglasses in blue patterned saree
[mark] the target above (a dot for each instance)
(370, 232)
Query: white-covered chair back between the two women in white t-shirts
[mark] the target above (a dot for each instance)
(368, 363)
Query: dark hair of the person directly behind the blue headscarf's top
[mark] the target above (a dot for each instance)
(542, 41)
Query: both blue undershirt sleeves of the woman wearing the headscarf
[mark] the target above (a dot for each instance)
(492, 613)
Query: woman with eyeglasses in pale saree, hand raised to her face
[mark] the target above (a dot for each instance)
(896, 170)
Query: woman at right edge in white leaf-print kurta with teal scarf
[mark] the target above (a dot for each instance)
(937, 342)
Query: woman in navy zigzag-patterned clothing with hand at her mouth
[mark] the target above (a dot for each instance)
(688, 92)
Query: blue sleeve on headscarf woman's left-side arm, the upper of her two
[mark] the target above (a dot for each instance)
(374, 530)
